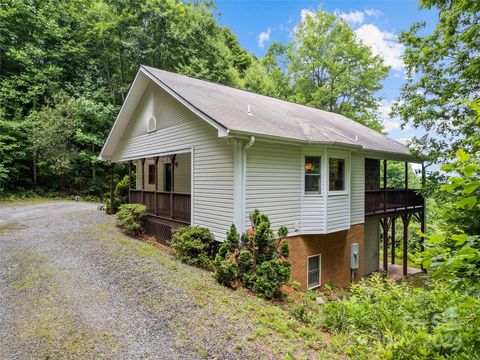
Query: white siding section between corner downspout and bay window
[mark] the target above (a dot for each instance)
(273, 183)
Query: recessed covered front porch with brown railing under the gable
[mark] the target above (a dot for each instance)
(163, 185)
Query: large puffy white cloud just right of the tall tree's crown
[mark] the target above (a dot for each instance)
(383, 43)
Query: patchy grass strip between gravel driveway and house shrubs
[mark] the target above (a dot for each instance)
(260, 327)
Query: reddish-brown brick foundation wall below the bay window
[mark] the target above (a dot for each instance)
(335, 255)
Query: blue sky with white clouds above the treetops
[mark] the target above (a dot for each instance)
(377, 23)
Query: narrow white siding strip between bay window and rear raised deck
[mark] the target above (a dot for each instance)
(357, 196)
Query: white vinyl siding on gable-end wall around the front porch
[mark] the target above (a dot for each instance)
(179, 130)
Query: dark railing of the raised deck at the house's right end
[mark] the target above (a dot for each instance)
(392, 200)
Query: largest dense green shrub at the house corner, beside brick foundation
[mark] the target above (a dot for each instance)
(258, 262)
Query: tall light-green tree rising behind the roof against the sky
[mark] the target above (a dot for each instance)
(332, 70)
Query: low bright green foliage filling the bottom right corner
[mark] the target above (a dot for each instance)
(385, 319)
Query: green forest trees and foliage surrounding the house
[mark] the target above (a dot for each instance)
(66, 67)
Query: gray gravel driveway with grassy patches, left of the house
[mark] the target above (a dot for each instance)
(72, 286)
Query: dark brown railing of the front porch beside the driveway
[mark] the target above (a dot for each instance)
(169, 205)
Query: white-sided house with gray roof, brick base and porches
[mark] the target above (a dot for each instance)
(207, 154)
